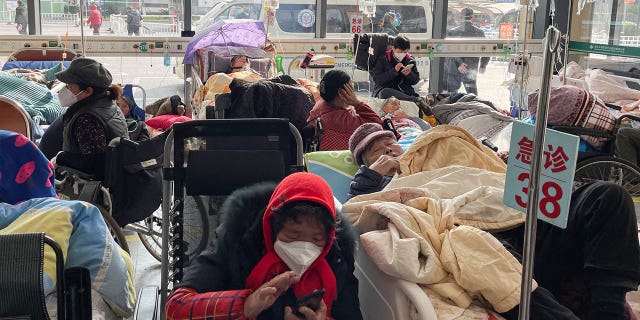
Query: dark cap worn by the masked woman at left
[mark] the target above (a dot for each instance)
(86, 71)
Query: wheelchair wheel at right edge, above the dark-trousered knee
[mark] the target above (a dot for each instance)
(609, 169)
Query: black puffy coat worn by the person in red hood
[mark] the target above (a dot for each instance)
(240, 247)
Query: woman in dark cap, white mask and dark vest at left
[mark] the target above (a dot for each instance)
(92, 119)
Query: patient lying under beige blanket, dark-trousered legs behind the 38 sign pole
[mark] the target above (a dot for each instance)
(440, 222)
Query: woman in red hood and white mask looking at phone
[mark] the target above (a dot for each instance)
(283, 252)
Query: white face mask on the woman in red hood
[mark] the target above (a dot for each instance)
(297, 255)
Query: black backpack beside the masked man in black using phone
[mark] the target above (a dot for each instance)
(380, 43)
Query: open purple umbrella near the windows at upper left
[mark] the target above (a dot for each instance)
(227, 33)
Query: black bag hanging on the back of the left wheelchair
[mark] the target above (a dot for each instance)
(134, 178)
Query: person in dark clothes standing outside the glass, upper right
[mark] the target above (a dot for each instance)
(465, 70)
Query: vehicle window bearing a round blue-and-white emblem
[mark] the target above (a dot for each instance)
(299, 18)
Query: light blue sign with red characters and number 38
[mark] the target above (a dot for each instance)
(557, 168)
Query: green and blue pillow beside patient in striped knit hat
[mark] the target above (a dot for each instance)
(337, 168)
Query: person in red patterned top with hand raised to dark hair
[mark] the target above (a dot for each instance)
(339, 110)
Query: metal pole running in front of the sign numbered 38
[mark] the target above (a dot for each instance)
(552, 40)
